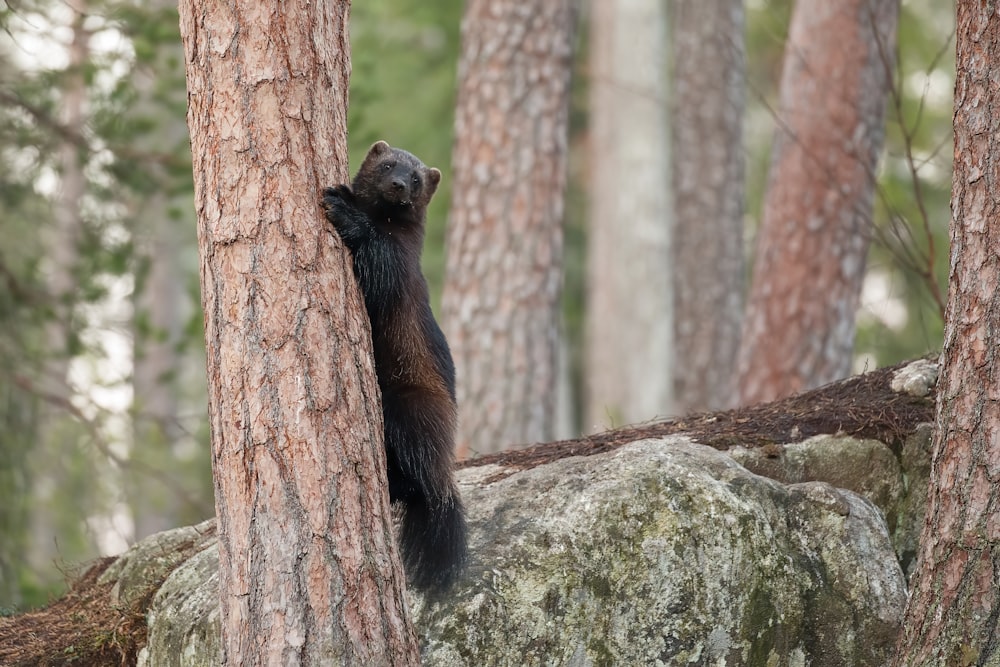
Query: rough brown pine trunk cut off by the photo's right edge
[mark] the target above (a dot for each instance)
(954, 607)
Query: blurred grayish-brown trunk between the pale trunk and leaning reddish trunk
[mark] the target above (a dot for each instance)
(707, 43)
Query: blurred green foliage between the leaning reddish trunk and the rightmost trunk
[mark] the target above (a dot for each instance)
(909, 258)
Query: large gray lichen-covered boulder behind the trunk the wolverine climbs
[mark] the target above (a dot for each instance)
(661, 552)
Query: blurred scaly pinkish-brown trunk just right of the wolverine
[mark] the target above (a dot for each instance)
(500, 306)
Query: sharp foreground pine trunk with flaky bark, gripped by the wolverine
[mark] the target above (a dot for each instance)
(308, 571)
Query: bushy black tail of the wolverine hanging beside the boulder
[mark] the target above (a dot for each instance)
(432, 539)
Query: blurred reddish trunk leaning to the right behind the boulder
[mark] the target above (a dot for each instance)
(811, 249)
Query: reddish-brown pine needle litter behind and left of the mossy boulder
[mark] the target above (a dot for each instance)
(82, 628)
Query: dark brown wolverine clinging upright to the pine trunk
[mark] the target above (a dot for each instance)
(381, 219)
